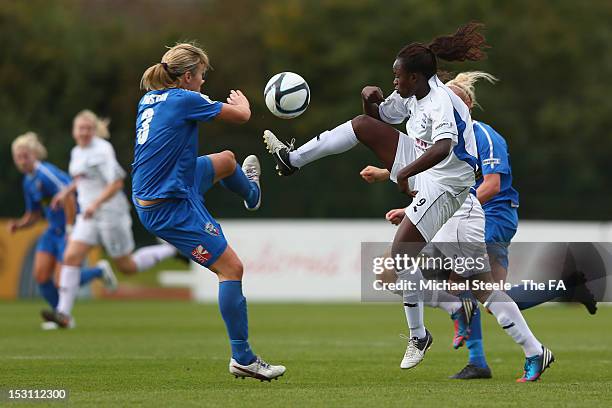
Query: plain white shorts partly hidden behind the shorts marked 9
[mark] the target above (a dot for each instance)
(462, 237)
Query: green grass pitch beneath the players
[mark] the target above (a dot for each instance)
(176, 354)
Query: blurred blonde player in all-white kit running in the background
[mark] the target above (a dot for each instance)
(105, 214)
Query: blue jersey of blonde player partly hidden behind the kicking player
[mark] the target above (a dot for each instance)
(493, 158)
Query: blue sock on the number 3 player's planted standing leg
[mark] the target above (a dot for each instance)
(232, 305)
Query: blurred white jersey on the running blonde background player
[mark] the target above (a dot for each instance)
(94, 167)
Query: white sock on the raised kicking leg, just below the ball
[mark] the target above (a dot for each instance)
(338, 140)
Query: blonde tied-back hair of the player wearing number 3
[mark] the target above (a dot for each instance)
(176, 61)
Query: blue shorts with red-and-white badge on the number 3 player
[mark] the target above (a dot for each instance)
(185, 222)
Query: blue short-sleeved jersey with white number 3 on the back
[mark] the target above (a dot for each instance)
(166, 146)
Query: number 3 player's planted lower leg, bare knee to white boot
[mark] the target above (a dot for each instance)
(233, 307)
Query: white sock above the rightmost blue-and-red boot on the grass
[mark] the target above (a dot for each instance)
(511, 320)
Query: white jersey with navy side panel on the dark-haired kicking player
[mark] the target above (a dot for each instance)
(439, 115)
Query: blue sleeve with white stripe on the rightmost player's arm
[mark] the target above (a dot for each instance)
(492, 150)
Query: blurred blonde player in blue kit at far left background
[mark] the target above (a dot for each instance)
(41, 182)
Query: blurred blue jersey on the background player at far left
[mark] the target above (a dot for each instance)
(40, 187)
